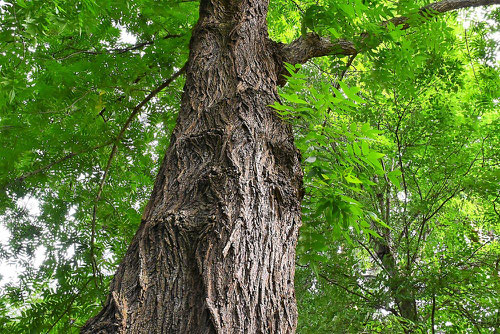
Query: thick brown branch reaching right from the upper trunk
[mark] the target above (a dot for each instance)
(312, 45)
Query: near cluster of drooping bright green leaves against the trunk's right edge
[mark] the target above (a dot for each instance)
(340, 160)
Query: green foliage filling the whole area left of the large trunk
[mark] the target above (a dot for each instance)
(68, 84)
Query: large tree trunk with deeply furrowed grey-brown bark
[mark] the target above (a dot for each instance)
(216, 247)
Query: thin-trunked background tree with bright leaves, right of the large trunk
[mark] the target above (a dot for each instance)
(435, 192)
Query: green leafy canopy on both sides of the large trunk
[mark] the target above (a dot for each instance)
(395, 109)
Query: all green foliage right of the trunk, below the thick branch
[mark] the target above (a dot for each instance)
(433, 183)
